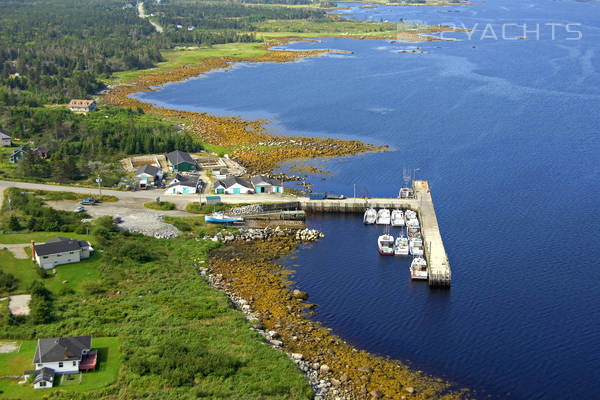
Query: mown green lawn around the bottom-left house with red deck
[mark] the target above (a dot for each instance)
(15, 363)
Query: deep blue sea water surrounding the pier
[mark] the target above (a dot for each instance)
(507, 133)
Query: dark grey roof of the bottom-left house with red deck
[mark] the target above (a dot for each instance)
(61, 349)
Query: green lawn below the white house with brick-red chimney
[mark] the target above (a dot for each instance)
(26, 272)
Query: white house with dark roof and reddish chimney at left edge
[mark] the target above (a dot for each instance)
(60, 250)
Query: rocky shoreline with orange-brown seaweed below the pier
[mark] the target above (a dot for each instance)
(279, 312)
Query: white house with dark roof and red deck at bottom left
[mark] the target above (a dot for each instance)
(61, 356)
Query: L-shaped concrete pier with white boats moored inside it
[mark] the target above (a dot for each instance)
(438, 266)
